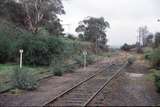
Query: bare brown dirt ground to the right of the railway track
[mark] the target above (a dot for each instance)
(131, 88)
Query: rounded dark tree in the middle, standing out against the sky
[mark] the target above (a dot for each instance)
(94, 30)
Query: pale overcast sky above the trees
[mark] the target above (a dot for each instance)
(124, 16)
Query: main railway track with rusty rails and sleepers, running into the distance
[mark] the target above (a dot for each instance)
(84, 92)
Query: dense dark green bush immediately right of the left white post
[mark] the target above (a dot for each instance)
(39, 50)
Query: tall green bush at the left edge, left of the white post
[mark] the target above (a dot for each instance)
(8, 44)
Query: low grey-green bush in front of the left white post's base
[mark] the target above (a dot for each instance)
(23, 79)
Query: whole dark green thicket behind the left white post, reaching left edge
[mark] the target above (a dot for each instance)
(38, 49)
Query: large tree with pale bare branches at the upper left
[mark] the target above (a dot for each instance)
(32, 14)
